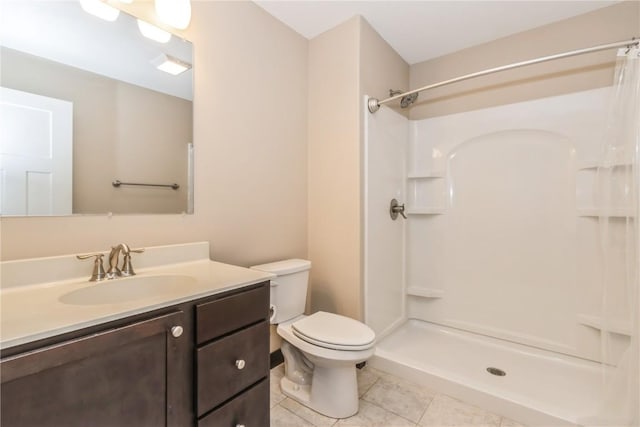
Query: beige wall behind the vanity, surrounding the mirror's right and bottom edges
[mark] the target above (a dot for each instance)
(251, 152)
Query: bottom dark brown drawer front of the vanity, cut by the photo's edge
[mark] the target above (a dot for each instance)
(250, 409)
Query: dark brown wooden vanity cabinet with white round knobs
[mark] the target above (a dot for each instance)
(203, 362)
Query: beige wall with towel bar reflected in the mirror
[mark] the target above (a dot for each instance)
(120, 131)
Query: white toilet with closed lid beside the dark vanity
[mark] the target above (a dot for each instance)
(320, 350)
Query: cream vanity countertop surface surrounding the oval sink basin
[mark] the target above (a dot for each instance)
(32, 312)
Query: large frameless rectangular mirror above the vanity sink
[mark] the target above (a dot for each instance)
(83, 106)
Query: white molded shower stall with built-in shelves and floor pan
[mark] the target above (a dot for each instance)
(498, 265)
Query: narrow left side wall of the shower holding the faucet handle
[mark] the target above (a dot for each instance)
(386, 136)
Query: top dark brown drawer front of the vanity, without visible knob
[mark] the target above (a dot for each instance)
(227, 314)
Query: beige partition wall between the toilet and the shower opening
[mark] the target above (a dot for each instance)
(345, 63)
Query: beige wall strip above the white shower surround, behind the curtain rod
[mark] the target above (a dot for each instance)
(607, 25)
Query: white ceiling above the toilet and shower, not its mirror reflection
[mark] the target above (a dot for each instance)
(421, 30)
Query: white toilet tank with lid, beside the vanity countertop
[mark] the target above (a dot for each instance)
(289, 289)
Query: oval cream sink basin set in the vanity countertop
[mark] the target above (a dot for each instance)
(126, 289)
